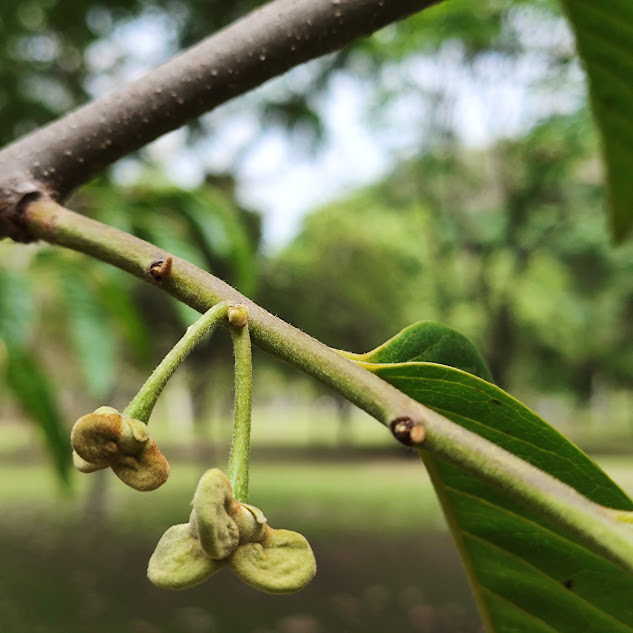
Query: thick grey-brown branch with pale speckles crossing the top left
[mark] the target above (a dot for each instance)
(263, 44)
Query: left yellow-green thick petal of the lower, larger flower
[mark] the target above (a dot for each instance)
(178, 561)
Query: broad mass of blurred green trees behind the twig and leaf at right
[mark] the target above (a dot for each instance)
(506, 244)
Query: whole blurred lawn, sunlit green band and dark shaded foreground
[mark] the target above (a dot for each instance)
(76, 563)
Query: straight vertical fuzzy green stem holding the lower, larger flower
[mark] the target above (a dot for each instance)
(240, 444)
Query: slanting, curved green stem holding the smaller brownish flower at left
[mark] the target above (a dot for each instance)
(141, 406)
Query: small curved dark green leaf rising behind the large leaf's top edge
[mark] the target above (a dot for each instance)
(429, 342)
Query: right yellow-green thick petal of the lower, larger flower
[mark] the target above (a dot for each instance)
(282, 562)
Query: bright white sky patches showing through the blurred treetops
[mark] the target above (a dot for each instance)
(277, 175)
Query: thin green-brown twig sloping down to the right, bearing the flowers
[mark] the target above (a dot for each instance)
(566, 508)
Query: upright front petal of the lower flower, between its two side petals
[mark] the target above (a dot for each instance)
(214, 507)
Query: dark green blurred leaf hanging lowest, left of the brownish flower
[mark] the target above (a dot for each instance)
(30, 385)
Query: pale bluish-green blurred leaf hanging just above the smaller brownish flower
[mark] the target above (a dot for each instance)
(90, 329)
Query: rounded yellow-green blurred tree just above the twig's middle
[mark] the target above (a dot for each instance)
(347, 277)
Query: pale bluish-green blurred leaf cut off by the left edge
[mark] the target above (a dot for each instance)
(16, 307)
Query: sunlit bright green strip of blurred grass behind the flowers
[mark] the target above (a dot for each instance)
(390, 496)
